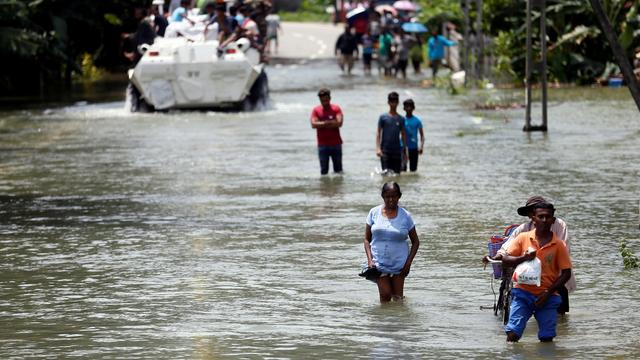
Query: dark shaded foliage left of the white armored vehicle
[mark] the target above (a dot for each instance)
(44, 41)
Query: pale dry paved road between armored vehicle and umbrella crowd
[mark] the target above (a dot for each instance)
(307, 40)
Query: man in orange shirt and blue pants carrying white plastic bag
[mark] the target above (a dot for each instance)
(540, 301)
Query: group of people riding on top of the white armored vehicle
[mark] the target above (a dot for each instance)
(206, 20)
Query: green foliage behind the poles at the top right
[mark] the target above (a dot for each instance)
(577, 49)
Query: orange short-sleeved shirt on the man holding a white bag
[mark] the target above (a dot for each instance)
(554, 257)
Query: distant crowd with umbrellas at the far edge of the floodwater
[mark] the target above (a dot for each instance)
(394, 40)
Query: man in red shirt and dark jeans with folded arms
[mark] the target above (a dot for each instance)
(326, 118)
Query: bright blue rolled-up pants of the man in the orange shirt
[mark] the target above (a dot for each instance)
(523, 307)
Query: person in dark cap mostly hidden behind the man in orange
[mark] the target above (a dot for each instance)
(559, 228)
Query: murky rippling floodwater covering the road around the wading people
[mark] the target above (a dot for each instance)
(205, 235)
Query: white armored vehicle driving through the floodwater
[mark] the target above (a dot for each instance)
(183, 73)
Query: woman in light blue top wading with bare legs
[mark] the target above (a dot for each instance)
(385, 243)
